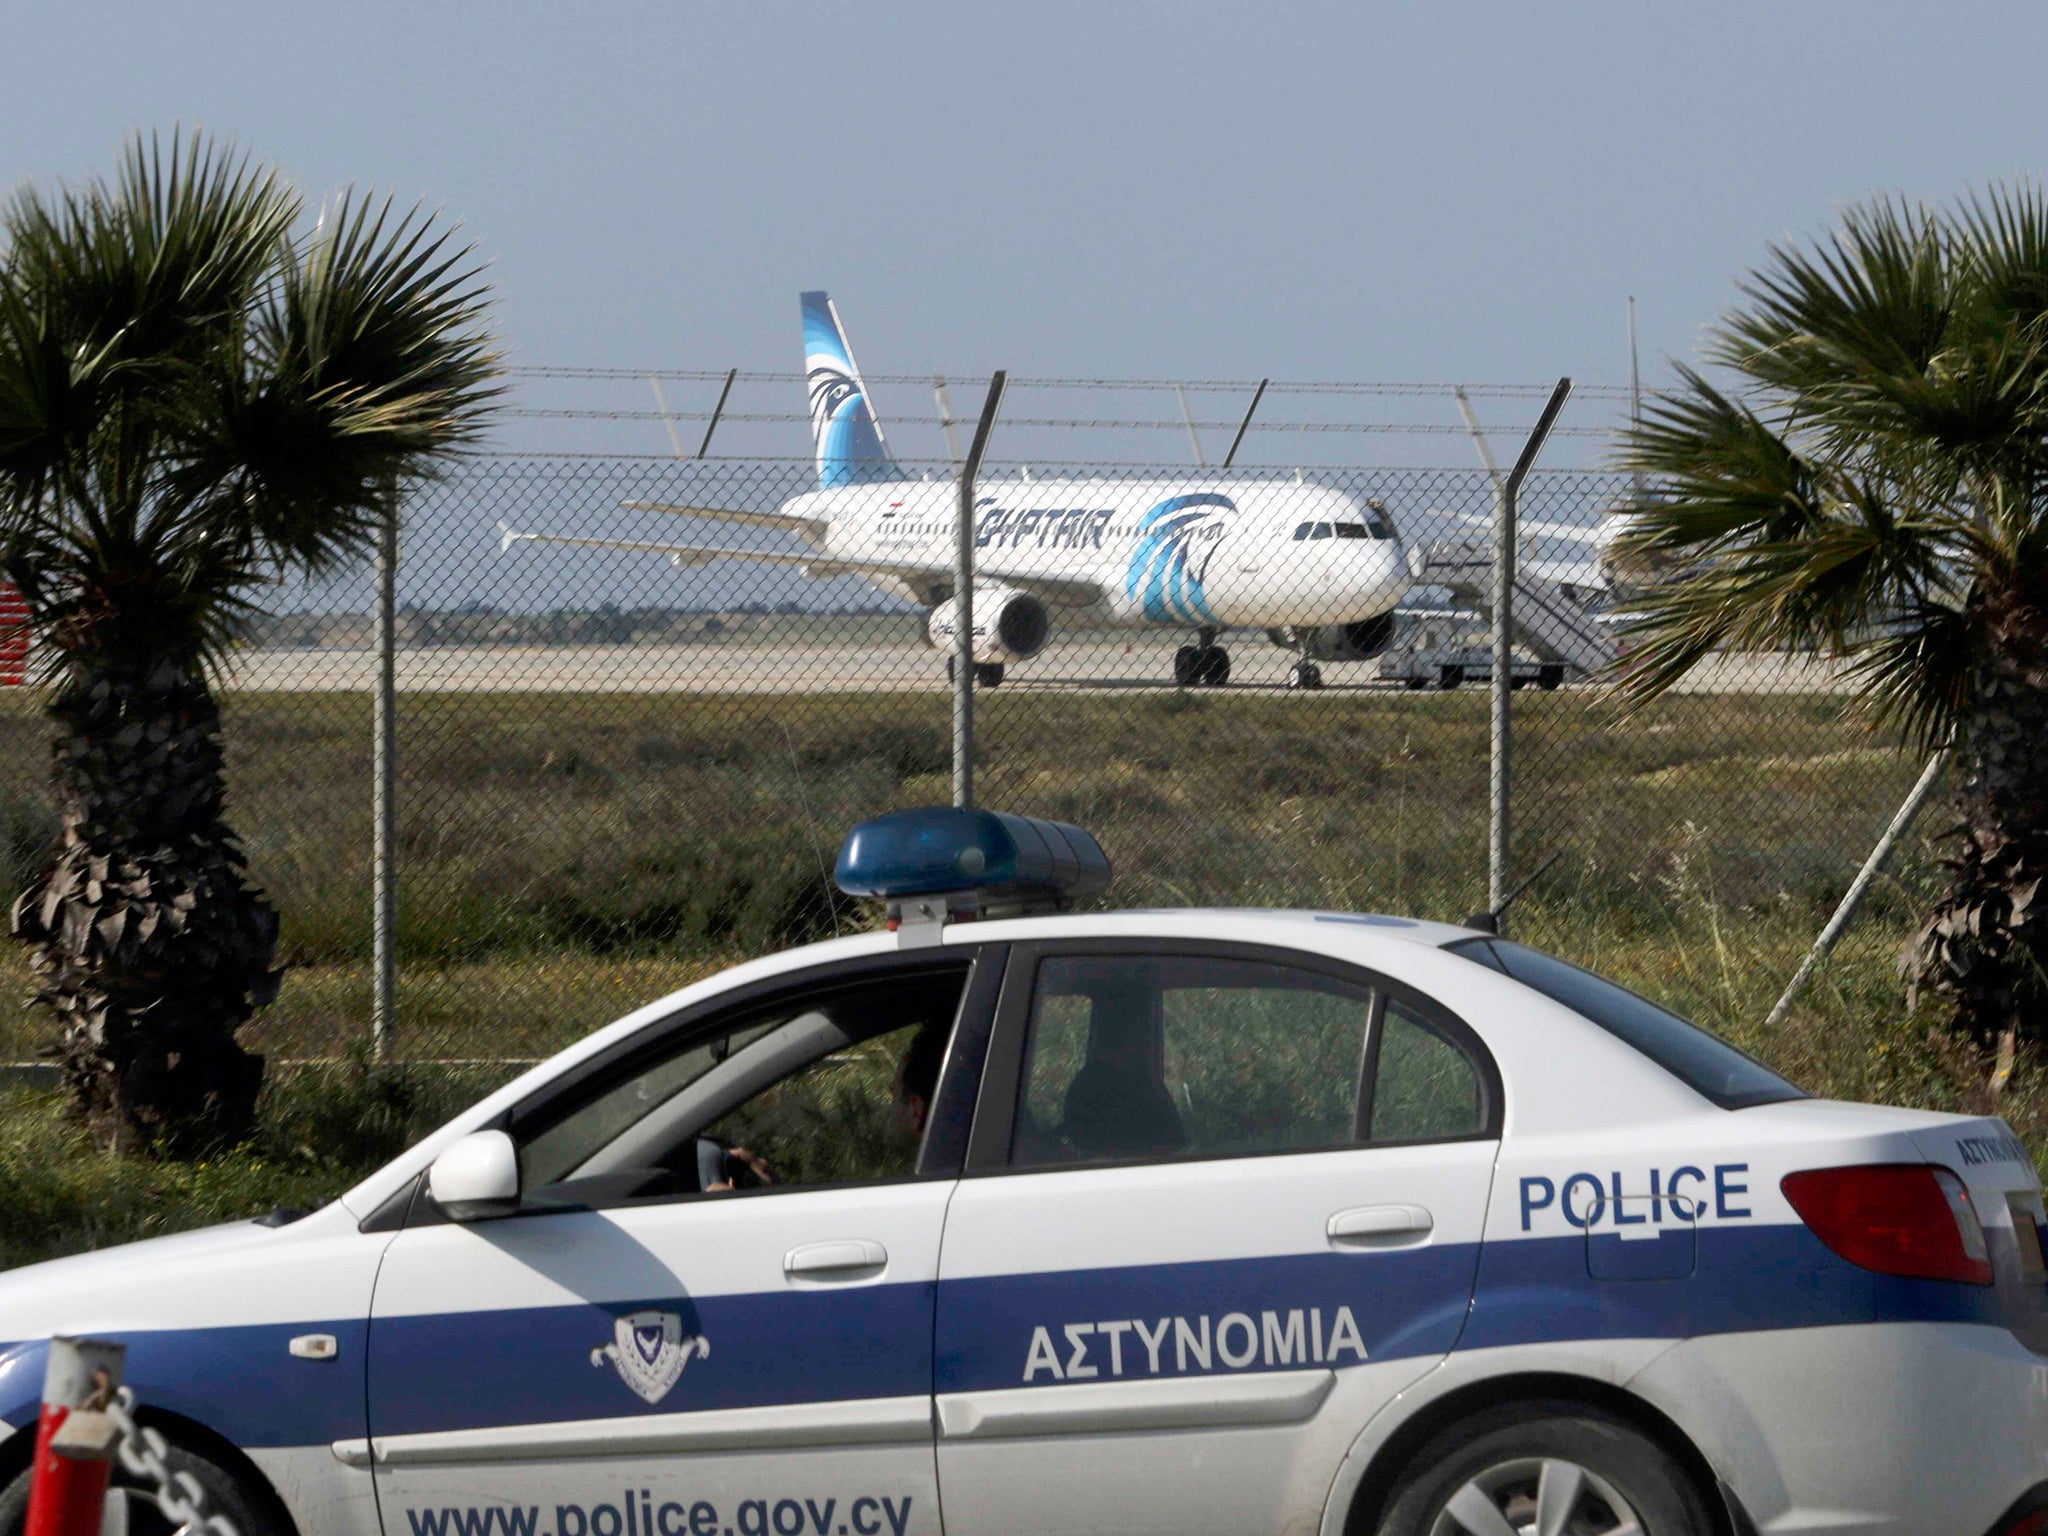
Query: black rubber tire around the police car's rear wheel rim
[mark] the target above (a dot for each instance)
(1637, 1467)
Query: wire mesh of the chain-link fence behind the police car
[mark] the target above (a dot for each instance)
(626, 761)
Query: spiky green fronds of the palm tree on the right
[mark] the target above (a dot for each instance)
(1877, 462)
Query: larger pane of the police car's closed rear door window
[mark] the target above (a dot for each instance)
(1170, 1056)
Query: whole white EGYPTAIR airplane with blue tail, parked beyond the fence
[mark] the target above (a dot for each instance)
(1314, 568)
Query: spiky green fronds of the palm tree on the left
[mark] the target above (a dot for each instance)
(194, 396)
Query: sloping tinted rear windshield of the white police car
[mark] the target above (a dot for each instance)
(1707, 1064)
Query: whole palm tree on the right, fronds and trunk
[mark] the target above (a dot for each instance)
(1875, 482)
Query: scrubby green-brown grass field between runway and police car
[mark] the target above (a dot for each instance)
(568, 857)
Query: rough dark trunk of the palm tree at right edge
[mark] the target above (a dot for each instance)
(1986, 943)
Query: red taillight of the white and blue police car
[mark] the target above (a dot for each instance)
(1906, 1220)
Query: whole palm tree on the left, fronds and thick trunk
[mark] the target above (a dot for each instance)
(198, 396)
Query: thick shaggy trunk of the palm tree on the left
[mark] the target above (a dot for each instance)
(151, 945)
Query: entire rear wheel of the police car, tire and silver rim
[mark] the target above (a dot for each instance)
(1553, 1467)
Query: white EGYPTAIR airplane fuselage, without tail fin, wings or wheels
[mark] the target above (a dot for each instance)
(1187, 552)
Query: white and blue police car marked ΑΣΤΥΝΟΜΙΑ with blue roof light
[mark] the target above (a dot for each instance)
(1140, 1222)
